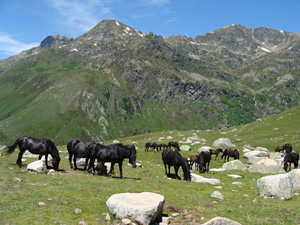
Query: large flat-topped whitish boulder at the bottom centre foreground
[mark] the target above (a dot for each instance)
(143, 208)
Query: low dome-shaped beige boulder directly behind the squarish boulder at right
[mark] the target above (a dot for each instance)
(266, 166)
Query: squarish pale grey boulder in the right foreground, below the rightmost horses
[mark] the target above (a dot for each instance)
(278, 186)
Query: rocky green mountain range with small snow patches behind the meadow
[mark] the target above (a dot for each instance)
(116, 81)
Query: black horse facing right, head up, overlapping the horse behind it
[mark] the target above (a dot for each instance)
(114, 153)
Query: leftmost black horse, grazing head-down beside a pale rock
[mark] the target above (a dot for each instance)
(36, 146)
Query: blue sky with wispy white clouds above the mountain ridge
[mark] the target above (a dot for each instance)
(25, 23)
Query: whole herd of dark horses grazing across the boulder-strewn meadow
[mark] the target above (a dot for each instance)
(116, 153)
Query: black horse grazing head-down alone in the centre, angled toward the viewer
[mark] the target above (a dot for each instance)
(173, 158)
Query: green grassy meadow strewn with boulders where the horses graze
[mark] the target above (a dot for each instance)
(68, 189)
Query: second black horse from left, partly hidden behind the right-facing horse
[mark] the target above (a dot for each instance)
(75, 148)
